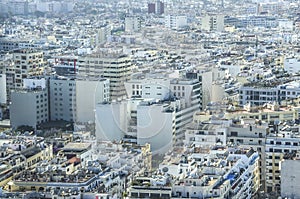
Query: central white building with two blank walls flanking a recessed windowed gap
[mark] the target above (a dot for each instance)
(139, 121)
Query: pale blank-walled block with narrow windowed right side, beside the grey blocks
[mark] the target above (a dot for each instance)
(90, 92)
